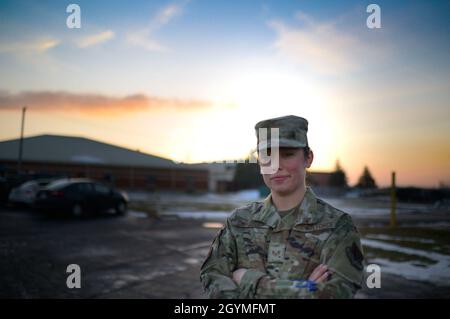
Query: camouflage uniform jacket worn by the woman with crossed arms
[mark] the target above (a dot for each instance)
(282, 252)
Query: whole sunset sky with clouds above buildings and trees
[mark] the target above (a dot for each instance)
(188, 80)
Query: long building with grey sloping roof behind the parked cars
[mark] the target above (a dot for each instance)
(81, 157)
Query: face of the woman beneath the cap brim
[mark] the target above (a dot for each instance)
(291, 171)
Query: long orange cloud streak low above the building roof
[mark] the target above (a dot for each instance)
(93, 104)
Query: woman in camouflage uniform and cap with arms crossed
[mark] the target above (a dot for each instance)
(291, 245)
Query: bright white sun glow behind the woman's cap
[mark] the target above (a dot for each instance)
(260, 95)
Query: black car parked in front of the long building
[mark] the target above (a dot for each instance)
(80, 197)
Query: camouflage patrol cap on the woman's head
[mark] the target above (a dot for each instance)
(292, 132)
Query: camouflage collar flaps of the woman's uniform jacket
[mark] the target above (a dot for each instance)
(307, 214)
